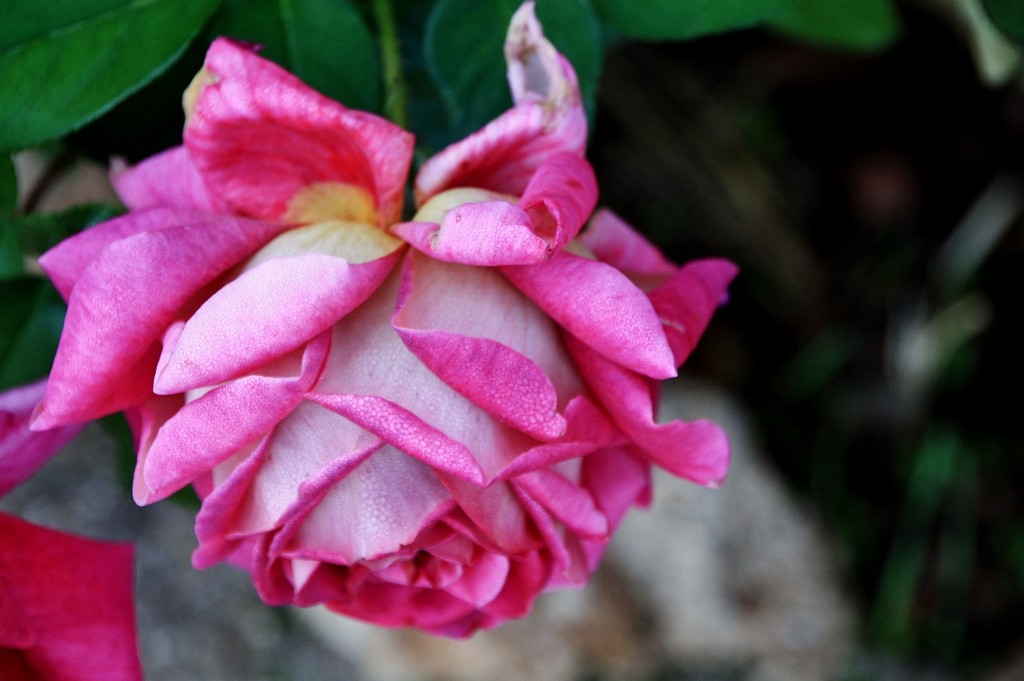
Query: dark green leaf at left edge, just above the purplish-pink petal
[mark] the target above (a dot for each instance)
(31, 320)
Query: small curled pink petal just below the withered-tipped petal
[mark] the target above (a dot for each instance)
(561, 197)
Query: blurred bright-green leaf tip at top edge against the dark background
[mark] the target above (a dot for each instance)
(857, 25)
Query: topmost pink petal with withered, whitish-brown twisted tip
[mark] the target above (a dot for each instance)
(548, 119)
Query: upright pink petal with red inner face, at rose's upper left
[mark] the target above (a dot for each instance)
(260, 136)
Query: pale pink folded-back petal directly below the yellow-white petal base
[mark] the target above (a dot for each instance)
(266, 313)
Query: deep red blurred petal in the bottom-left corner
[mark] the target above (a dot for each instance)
(75, 617)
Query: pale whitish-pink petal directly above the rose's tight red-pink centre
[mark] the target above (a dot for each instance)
(363, 512)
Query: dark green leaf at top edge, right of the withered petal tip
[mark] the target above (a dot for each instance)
(685, 20)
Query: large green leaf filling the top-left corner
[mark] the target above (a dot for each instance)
(64, 63)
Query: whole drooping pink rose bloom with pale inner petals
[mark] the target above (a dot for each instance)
(422, 423)
